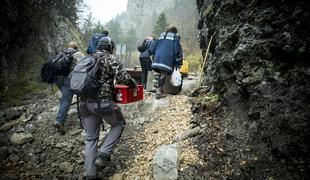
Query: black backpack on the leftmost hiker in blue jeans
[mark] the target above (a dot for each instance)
(59, 66)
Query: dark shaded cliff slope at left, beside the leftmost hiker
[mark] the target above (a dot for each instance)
(31, 33)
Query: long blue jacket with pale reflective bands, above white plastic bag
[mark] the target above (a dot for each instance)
(168, 52)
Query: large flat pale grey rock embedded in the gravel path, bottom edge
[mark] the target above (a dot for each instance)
(166, 161)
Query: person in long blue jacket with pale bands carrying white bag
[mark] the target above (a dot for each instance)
(168, 55)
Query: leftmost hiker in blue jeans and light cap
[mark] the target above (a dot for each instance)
(63, 84)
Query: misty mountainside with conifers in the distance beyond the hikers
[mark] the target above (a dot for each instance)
(130, 27)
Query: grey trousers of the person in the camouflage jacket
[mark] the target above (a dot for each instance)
(92, 113)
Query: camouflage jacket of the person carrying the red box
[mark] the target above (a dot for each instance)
(111, 69)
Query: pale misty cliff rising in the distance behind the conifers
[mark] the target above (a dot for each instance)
(142, 15)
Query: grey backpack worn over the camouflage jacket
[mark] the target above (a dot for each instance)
(84, 77)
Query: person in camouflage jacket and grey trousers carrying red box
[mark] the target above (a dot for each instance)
(101, 106)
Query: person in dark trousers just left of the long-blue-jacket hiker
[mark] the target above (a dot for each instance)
(145, 58)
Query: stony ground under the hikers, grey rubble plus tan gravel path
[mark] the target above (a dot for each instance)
(150, 124)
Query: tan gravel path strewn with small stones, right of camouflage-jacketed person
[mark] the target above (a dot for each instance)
(158, 124)
